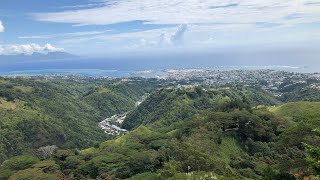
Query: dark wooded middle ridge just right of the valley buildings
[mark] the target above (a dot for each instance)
(169, 107)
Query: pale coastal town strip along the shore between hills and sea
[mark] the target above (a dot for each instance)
(269, 79)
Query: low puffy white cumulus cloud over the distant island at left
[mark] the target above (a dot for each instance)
(28, 49)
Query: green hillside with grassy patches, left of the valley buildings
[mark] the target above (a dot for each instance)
(39, 112)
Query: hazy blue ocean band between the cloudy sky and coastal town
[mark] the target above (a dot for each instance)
(121, 65)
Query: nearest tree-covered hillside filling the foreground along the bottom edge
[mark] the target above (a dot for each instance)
(222, 145)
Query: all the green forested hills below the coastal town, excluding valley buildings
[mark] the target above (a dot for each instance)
(49, 131)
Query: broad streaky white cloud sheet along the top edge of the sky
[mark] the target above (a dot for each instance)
(189, 12)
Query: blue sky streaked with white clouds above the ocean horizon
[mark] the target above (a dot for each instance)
(101, 27)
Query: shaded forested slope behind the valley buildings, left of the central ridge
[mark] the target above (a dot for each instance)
(126, 92)
